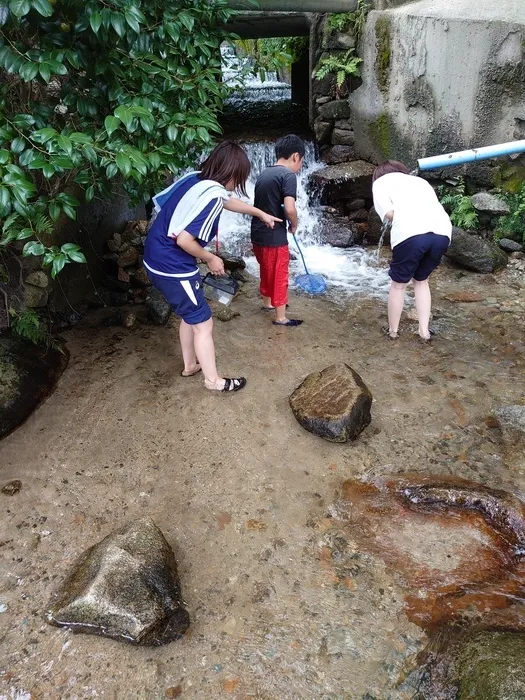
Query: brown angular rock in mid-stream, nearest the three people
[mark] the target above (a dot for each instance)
(333, 404)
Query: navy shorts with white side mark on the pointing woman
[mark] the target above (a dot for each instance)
(185, 296)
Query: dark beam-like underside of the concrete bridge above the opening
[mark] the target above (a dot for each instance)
(261, 25)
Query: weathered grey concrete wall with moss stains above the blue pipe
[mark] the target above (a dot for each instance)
(441, 75)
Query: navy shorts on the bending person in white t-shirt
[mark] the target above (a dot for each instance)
(417, 257)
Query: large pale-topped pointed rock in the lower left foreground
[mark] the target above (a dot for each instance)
(126, 588)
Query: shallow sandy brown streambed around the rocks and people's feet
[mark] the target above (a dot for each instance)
(242, 492)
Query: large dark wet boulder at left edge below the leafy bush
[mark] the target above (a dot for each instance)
(28, 375)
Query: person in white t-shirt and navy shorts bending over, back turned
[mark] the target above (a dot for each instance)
(420, 236)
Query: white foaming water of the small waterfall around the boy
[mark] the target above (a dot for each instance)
(348, 271)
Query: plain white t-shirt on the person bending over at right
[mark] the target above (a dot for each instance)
(416, 208)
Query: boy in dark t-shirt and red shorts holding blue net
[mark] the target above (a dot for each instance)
(276, 193)
